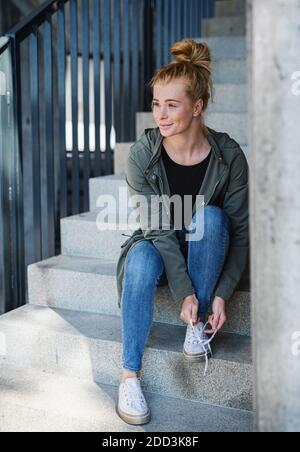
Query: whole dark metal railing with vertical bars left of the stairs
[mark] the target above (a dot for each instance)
(79, 73)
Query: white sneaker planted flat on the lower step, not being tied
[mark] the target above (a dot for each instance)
(132, 406)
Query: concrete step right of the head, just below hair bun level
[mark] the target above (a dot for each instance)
(231, 70)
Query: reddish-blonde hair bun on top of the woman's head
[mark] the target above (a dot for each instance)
(190, 51)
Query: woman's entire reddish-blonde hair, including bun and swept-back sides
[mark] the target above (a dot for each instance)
(193, 62)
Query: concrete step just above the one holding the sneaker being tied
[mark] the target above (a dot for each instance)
(89, 285)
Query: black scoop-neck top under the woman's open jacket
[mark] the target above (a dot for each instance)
(184, 180)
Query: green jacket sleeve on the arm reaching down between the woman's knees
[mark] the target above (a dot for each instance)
(165, 240)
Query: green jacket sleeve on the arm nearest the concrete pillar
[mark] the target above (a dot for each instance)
(236, 206)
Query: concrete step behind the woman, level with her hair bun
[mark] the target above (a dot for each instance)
(222, 48)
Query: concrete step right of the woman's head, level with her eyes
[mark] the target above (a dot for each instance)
(229, 98)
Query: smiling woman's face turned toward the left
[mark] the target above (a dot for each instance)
(173, 109)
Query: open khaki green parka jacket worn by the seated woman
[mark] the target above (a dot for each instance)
(225, 185)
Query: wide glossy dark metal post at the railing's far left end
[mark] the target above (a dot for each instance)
(11, 206)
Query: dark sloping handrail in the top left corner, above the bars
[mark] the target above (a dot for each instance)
(22, 30)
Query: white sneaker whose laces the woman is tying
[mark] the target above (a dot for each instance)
(197, 344)
